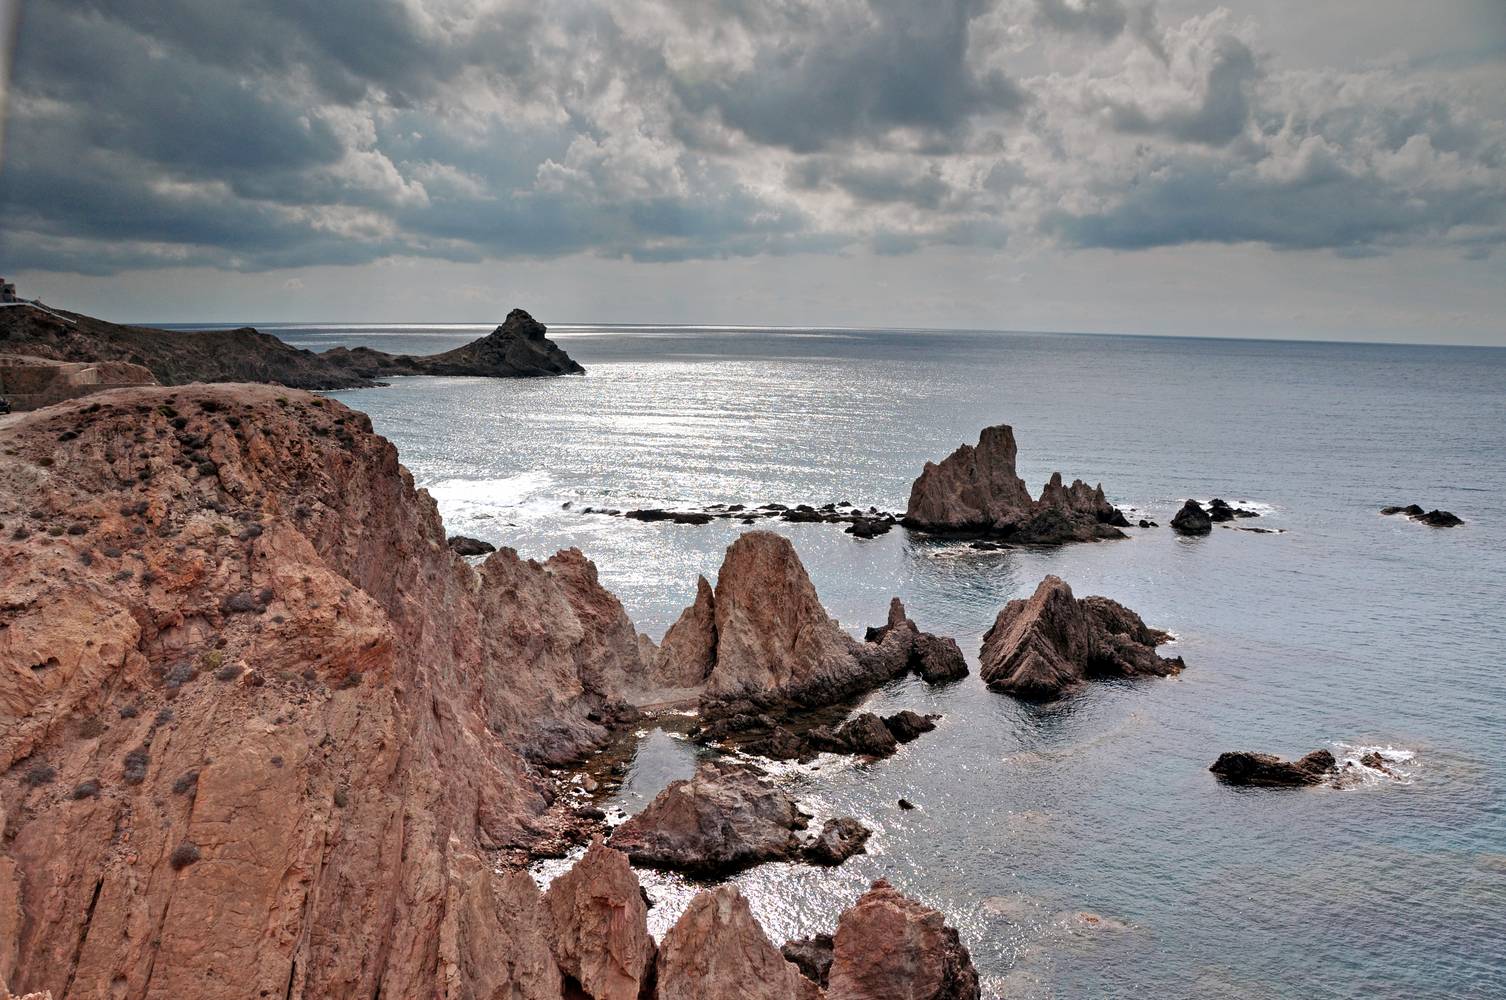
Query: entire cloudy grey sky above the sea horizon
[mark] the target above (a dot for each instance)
(1267, 169)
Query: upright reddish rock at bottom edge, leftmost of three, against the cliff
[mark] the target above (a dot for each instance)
(600, 925)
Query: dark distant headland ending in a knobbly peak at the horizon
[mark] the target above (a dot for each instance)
(517, 349)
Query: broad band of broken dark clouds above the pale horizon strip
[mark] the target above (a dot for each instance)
(273, 133)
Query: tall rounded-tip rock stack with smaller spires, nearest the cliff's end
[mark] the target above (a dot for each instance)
(763, 642)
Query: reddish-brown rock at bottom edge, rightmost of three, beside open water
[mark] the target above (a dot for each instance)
(891, 947)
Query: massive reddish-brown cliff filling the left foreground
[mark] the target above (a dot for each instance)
(260, 730)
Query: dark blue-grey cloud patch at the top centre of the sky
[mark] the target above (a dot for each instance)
(859, 76)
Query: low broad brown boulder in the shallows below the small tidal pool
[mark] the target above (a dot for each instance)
(722, 820)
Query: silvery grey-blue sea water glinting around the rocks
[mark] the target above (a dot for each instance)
(1346, 632)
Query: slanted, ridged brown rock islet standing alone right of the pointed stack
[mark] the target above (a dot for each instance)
(1053, 642)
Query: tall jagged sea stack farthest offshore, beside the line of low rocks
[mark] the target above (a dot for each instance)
(977, 492)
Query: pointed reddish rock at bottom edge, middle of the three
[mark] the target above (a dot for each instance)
(718, 951)
